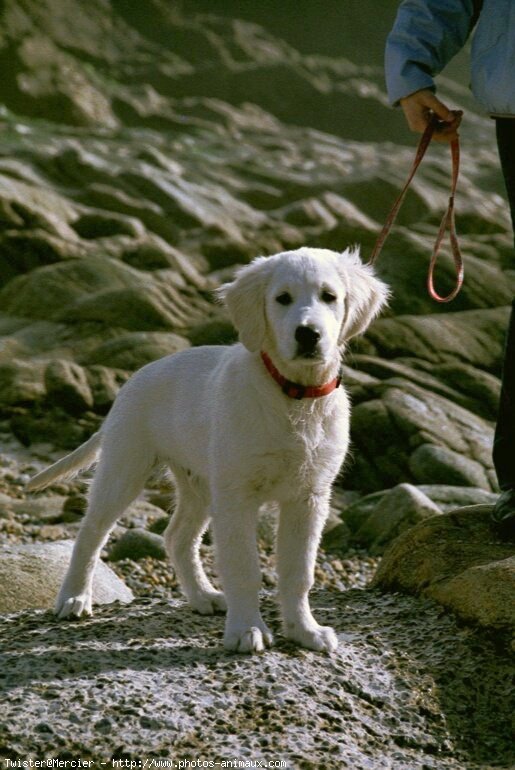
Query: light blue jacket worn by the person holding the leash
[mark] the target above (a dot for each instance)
(428, 33)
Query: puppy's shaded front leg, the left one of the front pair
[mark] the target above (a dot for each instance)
(234, 521)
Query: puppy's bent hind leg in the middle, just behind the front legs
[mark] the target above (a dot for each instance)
(183, 537)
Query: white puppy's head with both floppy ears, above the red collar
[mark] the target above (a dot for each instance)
(303, 305)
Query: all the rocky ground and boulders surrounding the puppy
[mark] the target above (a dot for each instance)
(143, 156)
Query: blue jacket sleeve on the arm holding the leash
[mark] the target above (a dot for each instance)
(424, 38)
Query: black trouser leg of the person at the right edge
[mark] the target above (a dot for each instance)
(504, 441)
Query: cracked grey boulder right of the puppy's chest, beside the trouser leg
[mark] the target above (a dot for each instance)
(400, 417)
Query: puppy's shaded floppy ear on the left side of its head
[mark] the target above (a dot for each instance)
(245, 300)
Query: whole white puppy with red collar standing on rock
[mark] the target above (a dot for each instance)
(238, 426)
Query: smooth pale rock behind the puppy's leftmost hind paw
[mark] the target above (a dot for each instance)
(31, 575)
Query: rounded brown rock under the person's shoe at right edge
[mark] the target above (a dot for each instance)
(458, 560)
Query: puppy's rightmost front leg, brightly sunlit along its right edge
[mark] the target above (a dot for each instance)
(300, 527)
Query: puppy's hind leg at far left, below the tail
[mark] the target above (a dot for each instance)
(118, 480)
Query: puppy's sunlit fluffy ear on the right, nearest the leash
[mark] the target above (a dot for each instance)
(365, 296)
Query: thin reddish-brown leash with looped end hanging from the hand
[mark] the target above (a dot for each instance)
(447, 222)
